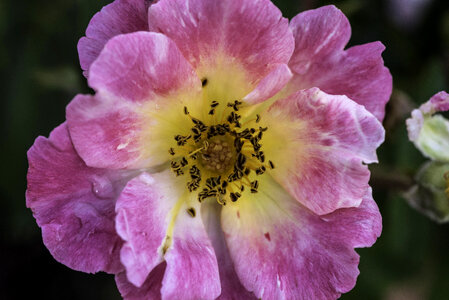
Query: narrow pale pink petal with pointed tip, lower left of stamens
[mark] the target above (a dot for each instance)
(142, 220)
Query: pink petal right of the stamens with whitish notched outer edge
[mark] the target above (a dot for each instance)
(319, 144)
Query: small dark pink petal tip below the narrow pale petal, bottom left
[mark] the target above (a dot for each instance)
(151, 289)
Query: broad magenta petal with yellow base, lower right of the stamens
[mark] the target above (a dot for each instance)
(297, 254)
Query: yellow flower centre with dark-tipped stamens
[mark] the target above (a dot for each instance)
(221, 160)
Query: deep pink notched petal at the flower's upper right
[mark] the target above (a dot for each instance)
(320, 60)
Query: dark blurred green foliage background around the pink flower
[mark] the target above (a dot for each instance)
(40, 74)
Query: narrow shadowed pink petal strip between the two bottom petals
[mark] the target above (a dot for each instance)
(231, 287)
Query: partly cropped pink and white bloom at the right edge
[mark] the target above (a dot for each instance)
(429, 133)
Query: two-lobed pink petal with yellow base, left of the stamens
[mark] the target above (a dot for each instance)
(130, 122)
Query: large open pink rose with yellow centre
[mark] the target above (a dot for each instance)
(223, 155)
